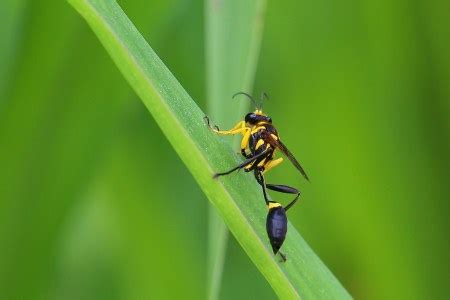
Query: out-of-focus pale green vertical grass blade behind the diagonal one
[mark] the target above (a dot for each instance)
(233, 31)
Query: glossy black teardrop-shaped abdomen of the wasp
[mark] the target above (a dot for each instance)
(276, 226)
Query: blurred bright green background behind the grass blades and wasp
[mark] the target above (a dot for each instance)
(95, 204)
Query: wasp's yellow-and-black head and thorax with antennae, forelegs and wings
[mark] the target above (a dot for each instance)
(259, 141)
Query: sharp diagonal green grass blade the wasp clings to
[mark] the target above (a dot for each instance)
(236, 197)
